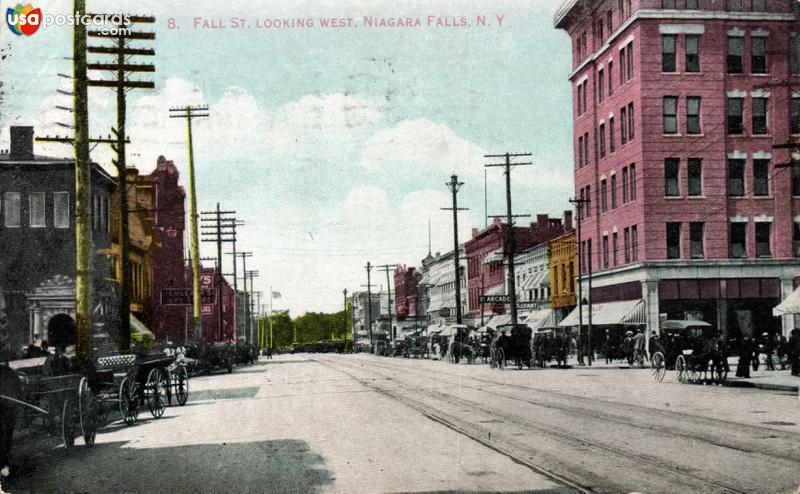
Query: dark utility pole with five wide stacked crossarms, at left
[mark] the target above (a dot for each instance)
(121, 83)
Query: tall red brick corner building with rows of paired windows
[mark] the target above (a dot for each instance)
(678, 105)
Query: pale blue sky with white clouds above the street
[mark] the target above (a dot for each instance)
(333, 144)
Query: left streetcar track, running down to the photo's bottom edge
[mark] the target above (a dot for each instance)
(672, 470)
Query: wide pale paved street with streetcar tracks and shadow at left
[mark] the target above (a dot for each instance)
(332, 423)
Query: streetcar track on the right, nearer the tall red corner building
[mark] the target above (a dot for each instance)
(627, 421)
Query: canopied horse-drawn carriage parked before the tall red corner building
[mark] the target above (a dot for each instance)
(692, 348)
